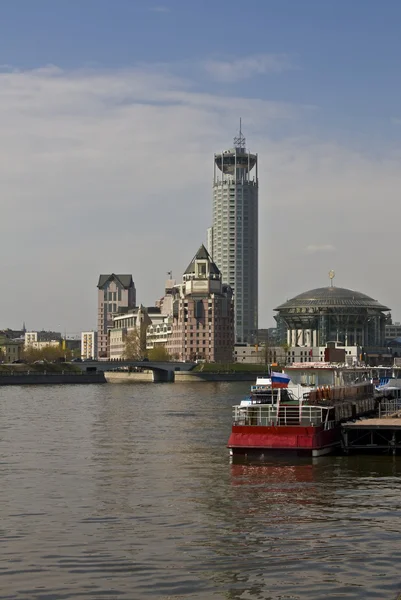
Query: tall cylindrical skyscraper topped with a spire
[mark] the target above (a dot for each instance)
(233, 238)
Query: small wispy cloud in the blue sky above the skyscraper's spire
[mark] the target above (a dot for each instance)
(230, 71)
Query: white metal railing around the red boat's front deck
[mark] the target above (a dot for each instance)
(267, 415)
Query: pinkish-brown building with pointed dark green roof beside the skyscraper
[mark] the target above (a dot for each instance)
(203, 314)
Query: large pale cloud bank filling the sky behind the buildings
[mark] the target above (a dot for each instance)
(111, 171)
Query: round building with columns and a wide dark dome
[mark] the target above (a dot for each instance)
(333, 314)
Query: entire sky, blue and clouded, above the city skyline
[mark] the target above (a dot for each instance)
(111, 112)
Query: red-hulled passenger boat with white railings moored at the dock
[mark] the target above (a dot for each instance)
(309, 423)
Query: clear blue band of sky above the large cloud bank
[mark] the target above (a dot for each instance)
(345, 54)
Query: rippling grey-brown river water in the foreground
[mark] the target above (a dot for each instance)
(127, 492)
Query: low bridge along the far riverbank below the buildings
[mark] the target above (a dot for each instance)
(162, 371)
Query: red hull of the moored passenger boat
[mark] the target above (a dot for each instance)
(306, 440)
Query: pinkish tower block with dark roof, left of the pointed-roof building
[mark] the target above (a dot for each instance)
(115, 292)
